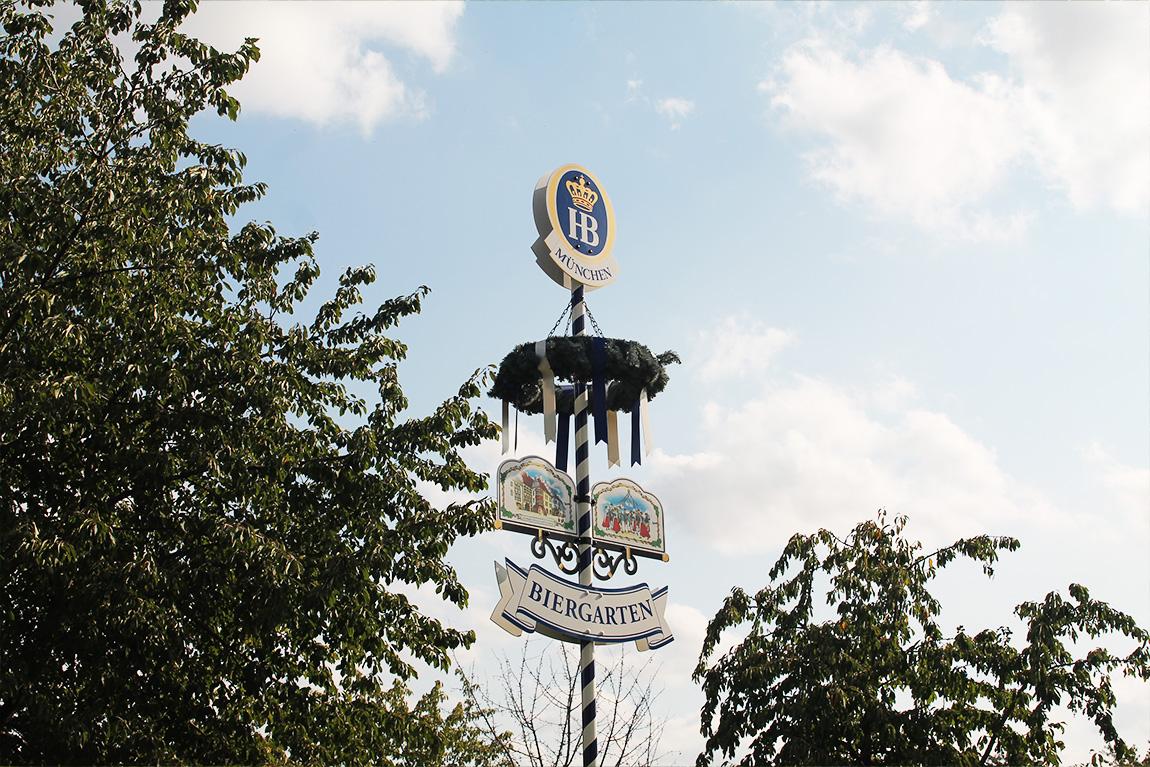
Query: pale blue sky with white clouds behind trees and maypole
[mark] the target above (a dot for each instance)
(902, 250)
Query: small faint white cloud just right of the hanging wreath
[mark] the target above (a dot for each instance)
(739, 347)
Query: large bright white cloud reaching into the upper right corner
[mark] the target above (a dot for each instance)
(906, 139)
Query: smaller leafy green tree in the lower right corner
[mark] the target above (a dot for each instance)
(879, 684)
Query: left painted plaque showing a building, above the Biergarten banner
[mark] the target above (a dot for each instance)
(533, 495)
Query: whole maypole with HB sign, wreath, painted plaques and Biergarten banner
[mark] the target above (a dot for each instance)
(589, 532)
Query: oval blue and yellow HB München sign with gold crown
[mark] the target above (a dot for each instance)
(577, 228)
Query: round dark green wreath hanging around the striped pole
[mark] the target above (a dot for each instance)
(631, 367)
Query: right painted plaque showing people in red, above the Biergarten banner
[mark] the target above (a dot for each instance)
(628, 517)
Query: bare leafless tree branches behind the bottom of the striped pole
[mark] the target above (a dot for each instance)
(539, 697)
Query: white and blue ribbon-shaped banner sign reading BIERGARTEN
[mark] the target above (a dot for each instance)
(536, 601)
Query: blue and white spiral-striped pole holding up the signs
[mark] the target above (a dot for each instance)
(584, 508)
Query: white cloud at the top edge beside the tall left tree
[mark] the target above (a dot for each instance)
(320, 62)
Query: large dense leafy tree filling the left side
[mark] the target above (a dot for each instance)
(206, 513)
